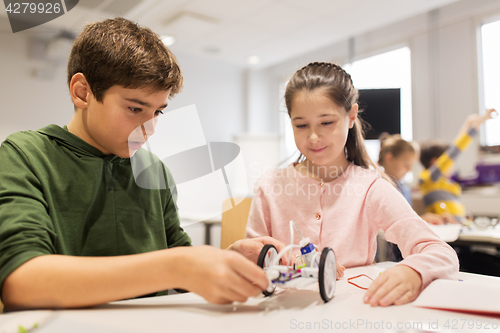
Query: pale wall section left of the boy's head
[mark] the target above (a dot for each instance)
(29, 102)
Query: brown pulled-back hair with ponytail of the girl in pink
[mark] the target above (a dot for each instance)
(337, 85)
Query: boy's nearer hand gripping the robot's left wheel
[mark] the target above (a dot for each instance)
(221, 276)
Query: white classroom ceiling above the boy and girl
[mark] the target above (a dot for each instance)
(234, 30)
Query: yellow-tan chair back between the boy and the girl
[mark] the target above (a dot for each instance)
(234, 220)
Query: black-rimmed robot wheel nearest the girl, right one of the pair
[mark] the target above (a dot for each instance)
(327, 275)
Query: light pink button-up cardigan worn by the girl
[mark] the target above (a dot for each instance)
(346, 215)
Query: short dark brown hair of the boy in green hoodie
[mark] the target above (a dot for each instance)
(120, 52)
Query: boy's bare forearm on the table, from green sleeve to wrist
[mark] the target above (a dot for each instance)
(57, 281)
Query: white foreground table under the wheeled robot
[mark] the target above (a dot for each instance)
(286, 311)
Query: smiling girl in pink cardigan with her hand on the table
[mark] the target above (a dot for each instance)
(339, 198)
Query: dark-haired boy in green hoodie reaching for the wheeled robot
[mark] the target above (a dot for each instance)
(75, 228)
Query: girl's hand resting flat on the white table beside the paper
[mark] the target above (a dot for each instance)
(397, 285)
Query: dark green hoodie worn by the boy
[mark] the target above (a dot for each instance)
(60, 195)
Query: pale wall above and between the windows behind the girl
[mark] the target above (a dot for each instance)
(444, 67)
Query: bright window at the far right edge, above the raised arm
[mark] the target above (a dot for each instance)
(490, 49)
